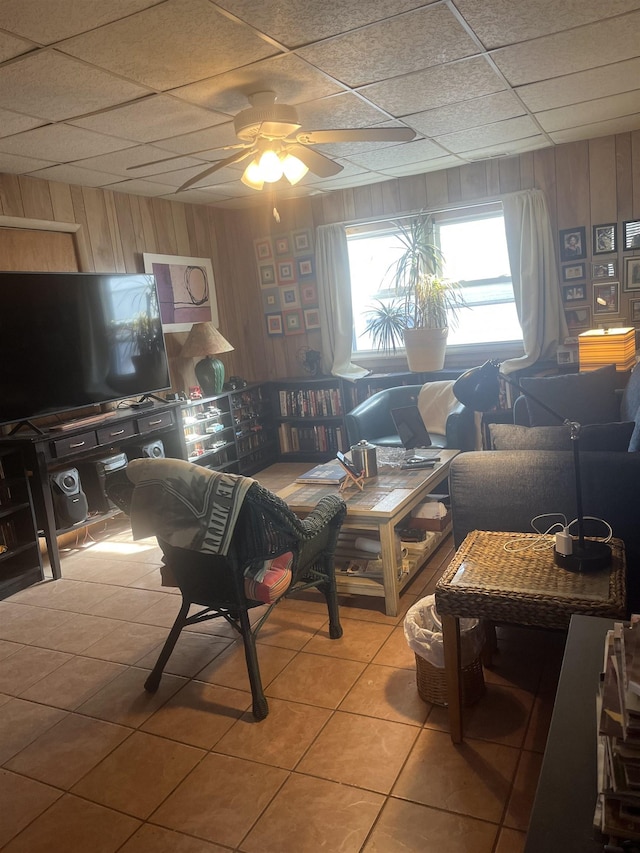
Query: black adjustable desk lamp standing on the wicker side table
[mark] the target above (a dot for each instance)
(478, 389)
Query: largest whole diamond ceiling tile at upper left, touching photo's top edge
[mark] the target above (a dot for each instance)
(190, 40)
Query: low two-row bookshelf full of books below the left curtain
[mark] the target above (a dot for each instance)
(310, 418)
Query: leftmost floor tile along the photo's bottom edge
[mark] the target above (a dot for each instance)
(78, 825)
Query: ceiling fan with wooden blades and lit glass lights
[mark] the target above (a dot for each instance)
(271, 135)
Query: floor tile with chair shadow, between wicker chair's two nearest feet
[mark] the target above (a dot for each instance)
(199, 714)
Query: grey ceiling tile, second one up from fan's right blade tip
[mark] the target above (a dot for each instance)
(435, 87)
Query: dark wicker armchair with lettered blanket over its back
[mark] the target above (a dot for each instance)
(230, 545)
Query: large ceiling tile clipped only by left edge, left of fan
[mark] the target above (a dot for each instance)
(54, 87)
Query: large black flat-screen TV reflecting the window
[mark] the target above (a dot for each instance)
(71, 340)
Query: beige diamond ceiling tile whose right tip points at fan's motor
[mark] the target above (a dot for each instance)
(156, 117)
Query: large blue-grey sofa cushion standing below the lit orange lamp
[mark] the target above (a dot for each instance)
(588, 398)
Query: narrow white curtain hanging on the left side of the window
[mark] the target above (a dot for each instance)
(334, 294)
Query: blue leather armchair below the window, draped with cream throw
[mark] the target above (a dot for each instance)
(372, 419)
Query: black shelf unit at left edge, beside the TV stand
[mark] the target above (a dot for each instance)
(21, 562)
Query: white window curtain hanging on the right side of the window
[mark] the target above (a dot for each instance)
(534, 273)
